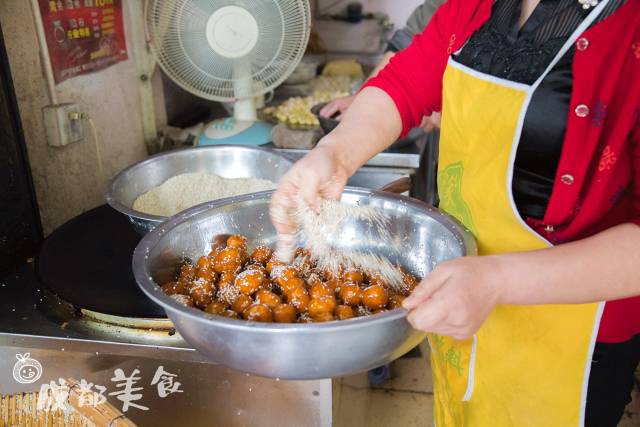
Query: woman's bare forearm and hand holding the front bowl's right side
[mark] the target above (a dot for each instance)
(458, 295)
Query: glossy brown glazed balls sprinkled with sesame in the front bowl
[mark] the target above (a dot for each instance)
(235, 283)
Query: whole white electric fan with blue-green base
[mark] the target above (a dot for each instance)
(229, 51)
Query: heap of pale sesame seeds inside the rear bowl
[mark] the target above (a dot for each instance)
(184, 191)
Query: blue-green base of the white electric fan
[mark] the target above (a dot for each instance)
(235, 132)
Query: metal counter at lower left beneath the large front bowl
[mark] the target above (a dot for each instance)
(211, 394)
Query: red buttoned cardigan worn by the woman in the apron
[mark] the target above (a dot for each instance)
(598, 181)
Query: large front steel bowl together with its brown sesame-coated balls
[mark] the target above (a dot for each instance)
(212, 270)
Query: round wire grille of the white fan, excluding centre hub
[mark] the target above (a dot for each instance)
(177, 29)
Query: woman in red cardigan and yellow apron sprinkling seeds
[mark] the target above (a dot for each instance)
(540, 159)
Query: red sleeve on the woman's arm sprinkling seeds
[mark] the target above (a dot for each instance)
(413, 78)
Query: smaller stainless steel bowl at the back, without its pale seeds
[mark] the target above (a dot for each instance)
(228, 161)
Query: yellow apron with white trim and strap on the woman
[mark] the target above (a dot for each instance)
(526, 366)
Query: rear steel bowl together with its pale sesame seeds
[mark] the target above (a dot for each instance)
(159, 187)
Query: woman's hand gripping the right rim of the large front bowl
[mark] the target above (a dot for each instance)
(456, 297)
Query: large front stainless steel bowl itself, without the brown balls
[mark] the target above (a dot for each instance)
(298, 351)
